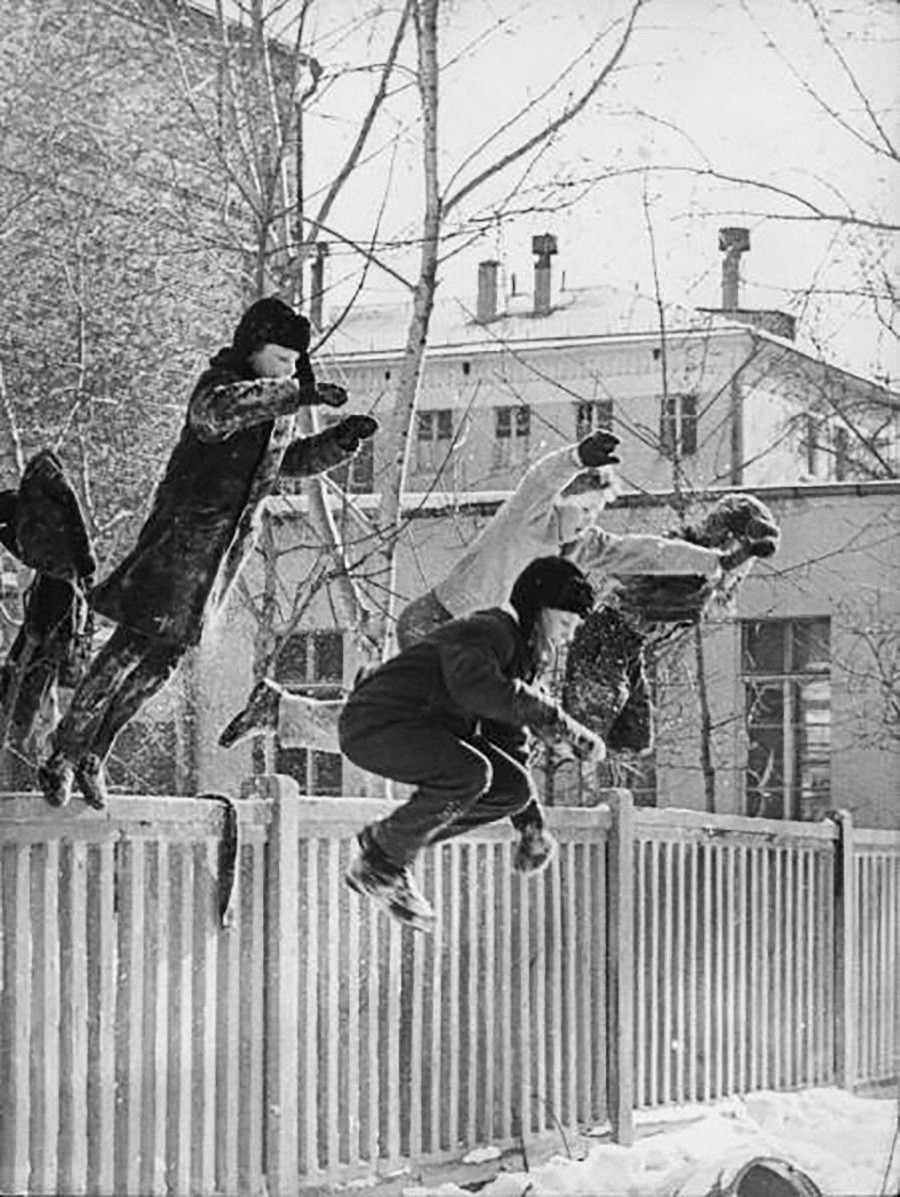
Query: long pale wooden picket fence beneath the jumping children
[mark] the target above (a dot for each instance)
(193, 1001)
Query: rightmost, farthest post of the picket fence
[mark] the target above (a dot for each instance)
(846, 958)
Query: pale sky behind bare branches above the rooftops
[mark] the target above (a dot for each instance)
(747, 87)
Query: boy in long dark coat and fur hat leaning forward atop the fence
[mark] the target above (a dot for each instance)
(236, 442)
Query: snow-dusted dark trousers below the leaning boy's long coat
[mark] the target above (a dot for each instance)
(125, 675)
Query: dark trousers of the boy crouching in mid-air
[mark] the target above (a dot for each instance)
(461, 783)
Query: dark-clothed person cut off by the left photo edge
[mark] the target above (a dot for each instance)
(41, 525)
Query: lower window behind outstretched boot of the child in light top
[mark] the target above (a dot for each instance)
(312, 664)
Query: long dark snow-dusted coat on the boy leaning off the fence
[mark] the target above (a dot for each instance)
(236, 441)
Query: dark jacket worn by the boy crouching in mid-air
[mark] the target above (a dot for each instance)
(471, 676)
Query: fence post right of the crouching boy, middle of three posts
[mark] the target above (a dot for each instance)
(621, 968)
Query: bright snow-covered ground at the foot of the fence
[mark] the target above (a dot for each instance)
(841, 1141)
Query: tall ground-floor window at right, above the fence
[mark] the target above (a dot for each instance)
(786, 669)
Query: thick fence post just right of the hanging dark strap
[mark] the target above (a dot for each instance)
(282, 932)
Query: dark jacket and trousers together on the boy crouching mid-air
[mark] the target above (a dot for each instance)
(449, 716)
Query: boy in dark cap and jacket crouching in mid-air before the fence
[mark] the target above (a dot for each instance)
(451, 716)
